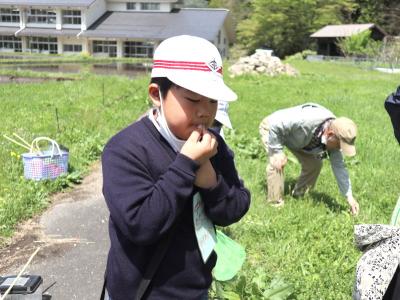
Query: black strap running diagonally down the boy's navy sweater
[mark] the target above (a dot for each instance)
(154, 264)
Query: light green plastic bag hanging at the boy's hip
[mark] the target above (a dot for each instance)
(230, 257)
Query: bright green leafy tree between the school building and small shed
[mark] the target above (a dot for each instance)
(285, 25)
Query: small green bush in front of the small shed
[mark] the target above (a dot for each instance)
(361, 45)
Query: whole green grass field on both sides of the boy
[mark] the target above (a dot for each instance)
(308, 243)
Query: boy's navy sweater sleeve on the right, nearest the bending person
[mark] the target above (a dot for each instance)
(229, 200)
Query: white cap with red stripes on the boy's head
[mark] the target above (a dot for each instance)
(194, 64)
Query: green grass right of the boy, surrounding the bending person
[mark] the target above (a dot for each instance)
(310, 241)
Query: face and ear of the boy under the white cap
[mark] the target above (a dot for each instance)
(185, 110)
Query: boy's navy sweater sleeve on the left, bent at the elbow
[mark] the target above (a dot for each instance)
(142, 208)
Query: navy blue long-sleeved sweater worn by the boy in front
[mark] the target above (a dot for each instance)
(148, 188)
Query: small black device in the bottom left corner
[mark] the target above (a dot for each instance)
(26, 284)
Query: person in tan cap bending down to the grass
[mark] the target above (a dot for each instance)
(312, 133)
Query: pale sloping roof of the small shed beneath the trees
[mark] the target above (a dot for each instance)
(343, 30)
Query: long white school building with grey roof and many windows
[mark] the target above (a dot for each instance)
(113, 28)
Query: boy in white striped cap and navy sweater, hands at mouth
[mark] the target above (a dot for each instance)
(156, 168)
